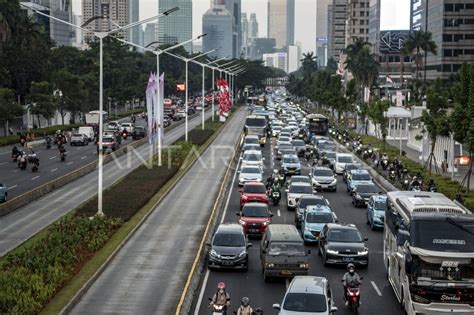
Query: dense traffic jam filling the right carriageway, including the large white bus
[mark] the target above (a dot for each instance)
(306, 229)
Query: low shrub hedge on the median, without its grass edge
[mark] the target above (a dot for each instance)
(31, 275)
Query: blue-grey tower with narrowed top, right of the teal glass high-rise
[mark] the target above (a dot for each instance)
(218, 24)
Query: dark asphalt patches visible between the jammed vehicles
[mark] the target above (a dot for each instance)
(377, 296)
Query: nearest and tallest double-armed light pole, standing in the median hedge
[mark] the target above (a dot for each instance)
(101, 35)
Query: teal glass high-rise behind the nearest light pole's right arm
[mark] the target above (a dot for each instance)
(178, 26)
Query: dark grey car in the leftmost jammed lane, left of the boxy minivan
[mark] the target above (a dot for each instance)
(229, 248)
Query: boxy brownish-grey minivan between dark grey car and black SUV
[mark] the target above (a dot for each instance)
(282, 252)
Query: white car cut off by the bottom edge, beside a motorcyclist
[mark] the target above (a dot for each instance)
(307, 295)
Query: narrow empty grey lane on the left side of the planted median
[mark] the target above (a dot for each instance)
(21, 224)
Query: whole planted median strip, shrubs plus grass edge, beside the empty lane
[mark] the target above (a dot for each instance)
(37, 290)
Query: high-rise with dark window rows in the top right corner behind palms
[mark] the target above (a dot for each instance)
(451, 24)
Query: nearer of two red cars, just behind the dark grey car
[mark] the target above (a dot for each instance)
(254, 218)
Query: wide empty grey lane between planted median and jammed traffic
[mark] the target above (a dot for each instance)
(149, 273)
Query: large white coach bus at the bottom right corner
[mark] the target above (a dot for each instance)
(428, 251)
